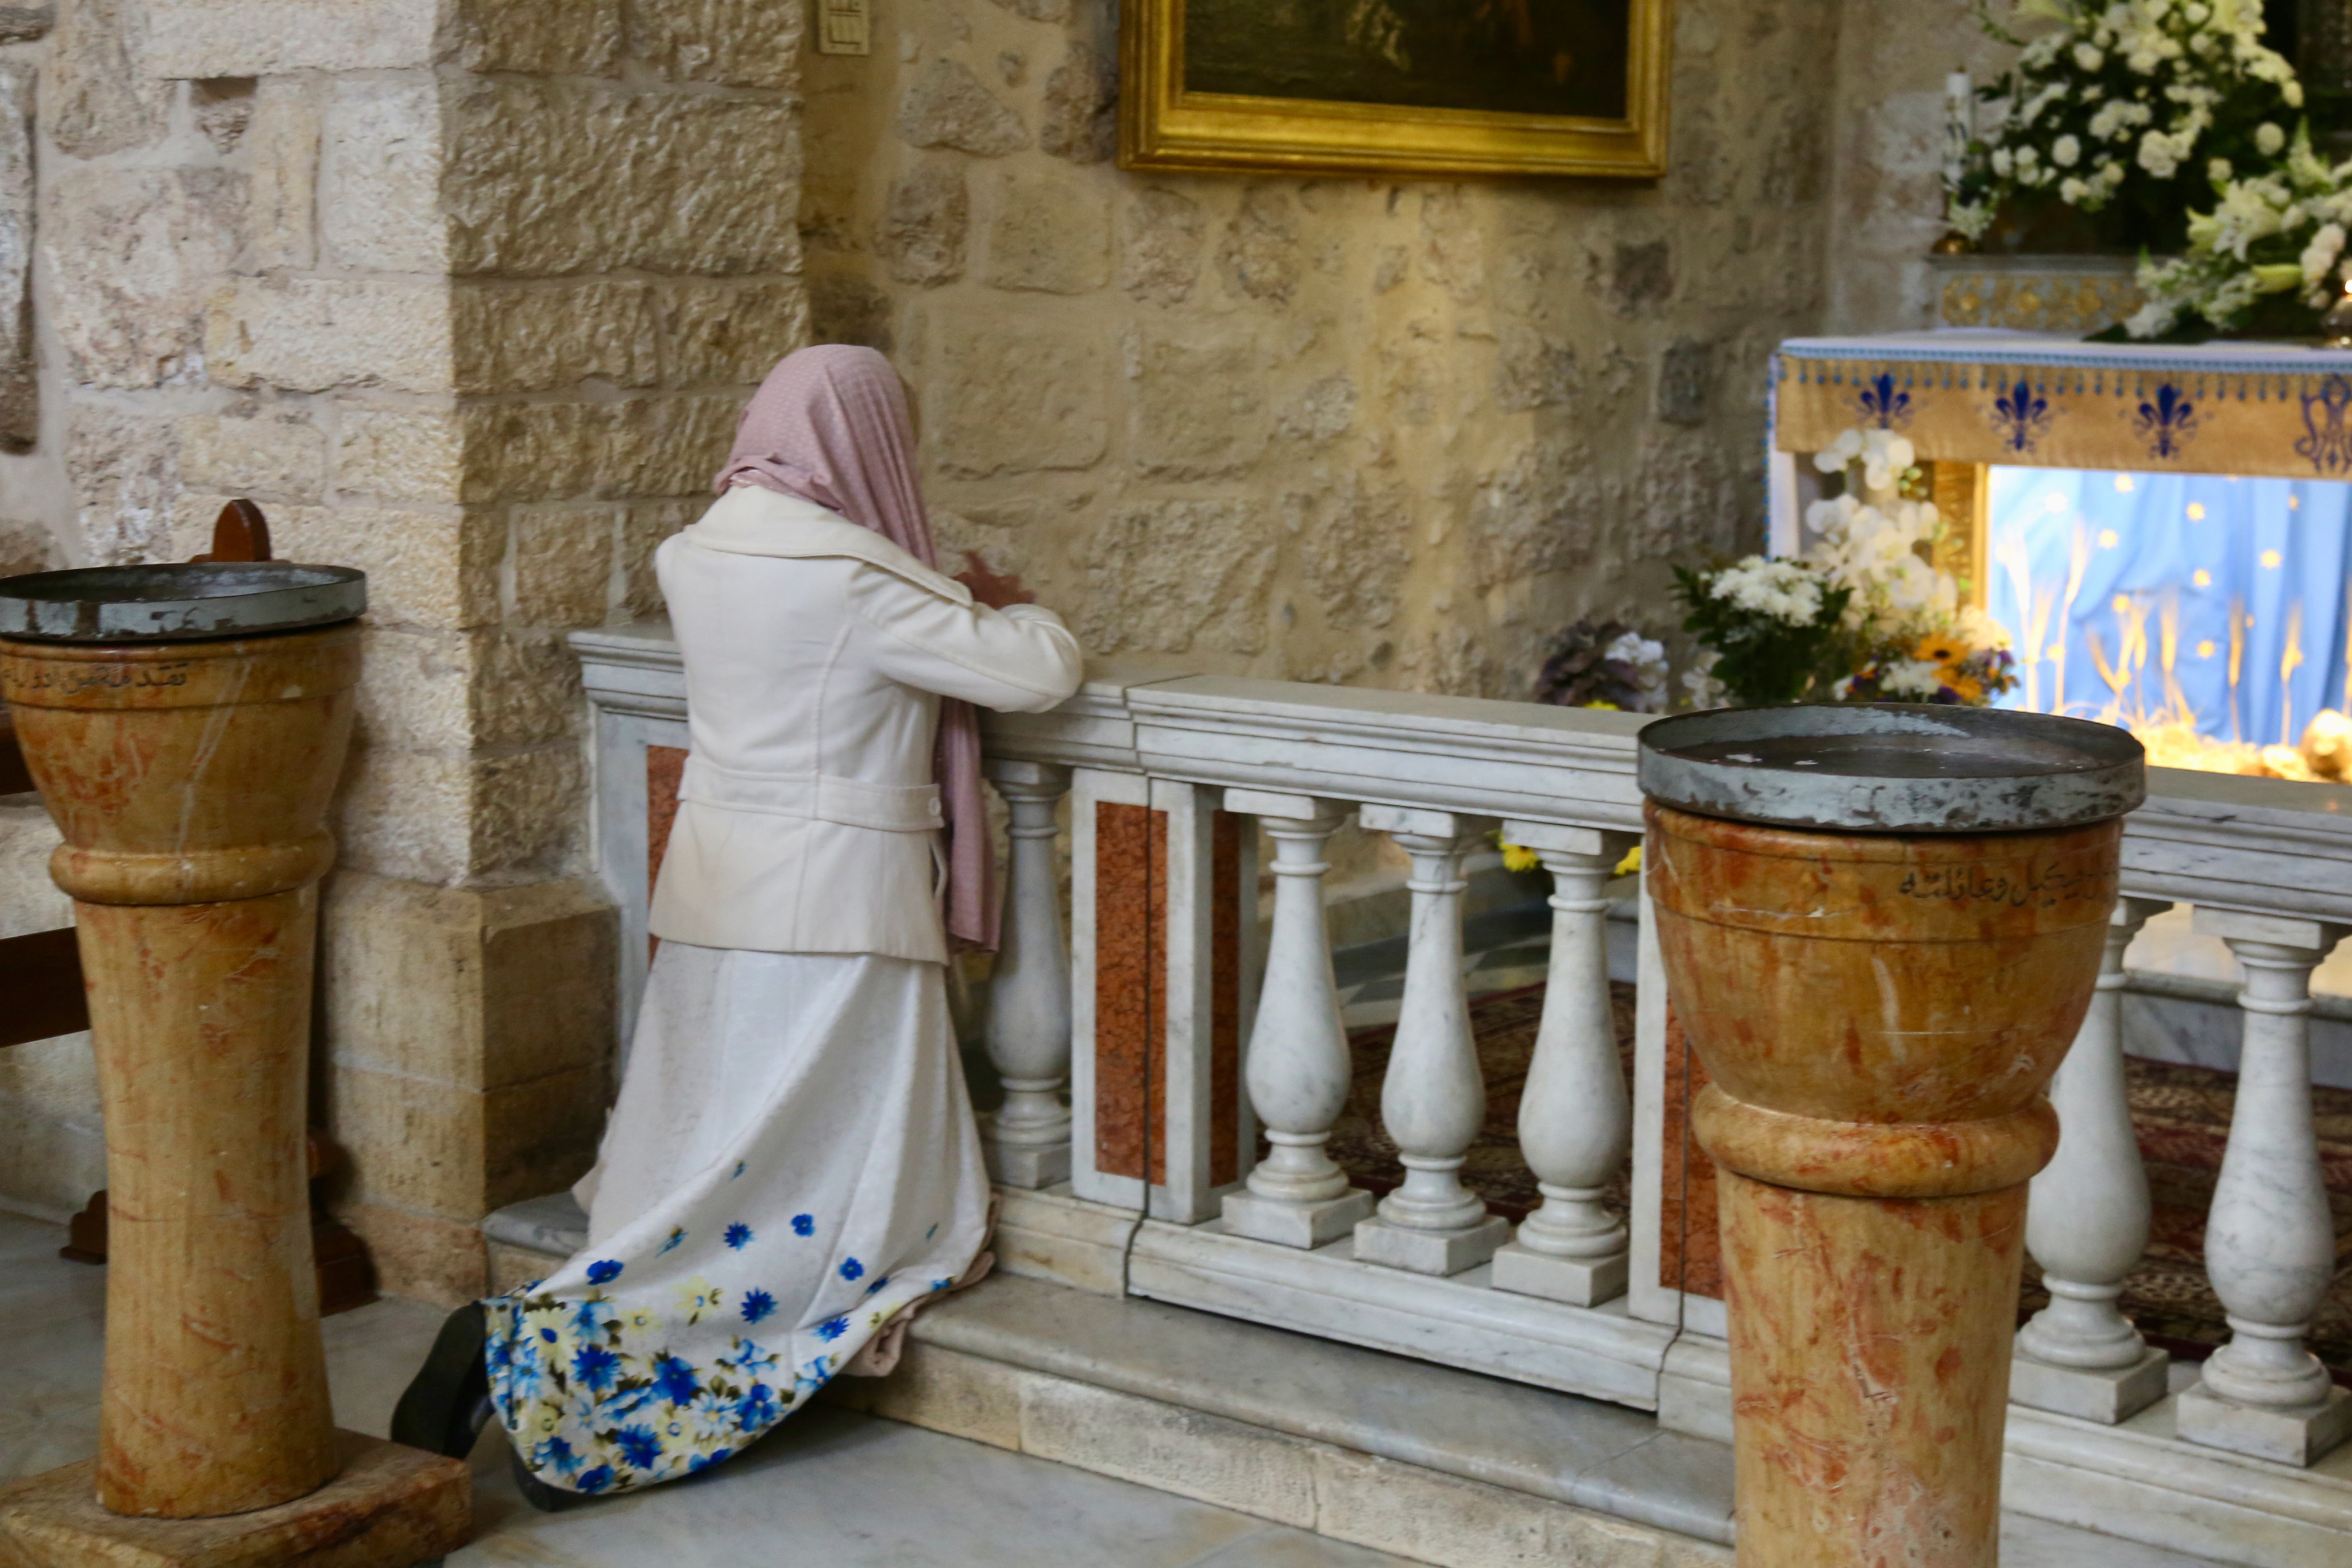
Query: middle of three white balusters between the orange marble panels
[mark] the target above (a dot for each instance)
(1434, 1099)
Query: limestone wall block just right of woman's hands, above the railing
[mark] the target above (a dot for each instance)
(1180, 575)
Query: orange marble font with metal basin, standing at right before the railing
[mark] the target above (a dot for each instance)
(1880, 1014)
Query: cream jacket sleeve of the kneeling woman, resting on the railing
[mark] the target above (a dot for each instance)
(1020, 659)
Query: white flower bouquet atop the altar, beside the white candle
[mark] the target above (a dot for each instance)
(2111, 105)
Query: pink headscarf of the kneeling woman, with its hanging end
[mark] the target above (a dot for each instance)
(829, 427)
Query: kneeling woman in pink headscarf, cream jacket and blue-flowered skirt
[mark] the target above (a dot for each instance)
(791, 1162)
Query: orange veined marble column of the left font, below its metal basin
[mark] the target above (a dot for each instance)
(192, 784)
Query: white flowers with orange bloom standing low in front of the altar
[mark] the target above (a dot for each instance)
(1859, 617)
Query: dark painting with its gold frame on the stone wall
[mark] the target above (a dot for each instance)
(1396, 86)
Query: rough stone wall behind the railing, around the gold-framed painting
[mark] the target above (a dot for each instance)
(1339, 429)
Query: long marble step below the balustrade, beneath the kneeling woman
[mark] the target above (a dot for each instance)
(1356, 1445)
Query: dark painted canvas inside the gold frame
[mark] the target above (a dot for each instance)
(1523, 58)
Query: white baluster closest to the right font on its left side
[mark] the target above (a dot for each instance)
(1575, 1115)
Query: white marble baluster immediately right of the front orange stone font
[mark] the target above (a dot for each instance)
(2087, 1221)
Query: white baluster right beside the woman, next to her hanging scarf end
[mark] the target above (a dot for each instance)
(1029, 1000)
